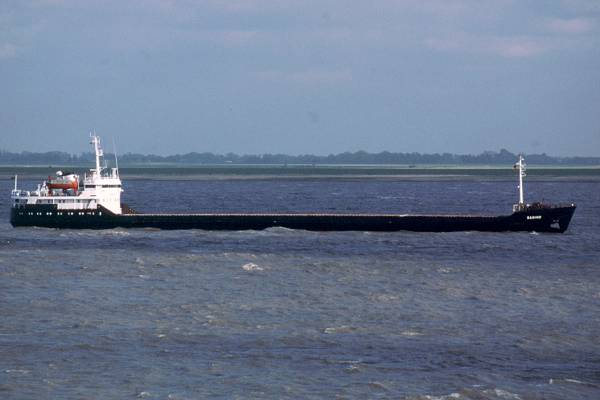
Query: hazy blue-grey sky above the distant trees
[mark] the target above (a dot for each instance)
(297, 77)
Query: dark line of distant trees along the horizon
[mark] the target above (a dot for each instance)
(359, 157)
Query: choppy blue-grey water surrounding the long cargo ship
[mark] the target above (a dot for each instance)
(291, 314)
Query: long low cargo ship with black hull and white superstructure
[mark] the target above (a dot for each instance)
(94, 202)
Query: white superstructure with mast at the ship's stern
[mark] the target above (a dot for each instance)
(101, 186)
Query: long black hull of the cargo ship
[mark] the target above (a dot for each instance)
(546, 219)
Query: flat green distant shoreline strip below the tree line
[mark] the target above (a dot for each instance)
(228, 172)
